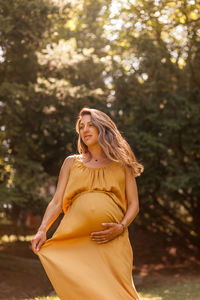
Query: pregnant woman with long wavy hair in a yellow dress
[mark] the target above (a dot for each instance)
(89, 257)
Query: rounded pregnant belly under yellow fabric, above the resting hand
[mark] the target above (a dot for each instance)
(87, 212)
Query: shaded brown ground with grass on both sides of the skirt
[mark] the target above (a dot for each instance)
(160, 272)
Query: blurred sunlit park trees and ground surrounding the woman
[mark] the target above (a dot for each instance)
(139, 62)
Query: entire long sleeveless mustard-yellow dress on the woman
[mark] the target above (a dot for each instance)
(78, 267)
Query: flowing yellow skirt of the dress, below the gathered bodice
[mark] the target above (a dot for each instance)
(82, 269)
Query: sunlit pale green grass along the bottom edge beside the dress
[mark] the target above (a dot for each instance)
(168, 290)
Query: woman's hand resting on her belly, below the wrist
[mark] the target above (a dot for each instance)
(112, 231)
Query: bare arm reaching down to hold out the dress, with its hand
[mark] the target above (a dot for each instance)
(54, 208)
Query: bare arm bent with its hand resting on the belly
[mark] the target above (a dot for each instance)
(112, 230)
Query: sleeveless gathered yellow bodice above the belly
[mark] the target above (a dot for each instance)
(109, 179)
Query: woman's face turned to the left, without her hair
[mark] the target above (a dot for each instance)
(88, 132)
